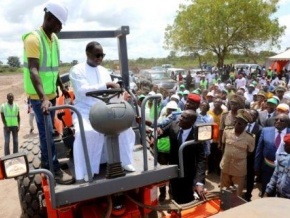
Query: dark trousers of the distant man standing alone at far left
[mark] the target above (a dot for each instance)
(7, 131)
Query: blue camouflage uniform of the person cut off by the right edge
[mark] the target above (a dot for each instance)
(280, 180)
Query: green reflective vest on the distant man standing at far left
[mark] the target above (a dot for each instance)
(10, 114)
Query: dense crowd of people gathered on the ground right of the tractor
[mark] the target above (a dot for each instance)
(251, 108)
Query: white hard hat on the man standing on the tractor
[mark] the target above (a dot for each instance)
(58, 9)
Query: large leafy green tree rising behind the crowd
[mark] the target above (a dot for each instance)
(224, 26)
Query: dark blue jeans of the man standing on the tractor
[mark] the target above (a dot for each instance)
(36, 105)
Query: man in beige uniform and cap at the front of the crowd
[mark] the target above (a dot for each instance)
(237, 143)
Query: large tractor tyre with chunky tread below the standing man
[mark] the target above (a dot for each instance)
(30, 190)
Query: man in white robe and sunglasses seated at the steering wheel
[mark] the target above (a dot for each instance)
(86, 77)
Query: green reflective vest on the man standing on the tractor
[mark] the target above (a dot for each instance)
(48, 64)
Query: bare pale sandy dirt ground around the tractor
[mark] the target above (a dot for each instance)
(9, 200)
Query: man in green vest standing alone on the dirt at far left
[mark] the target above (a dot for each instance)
(11, 121)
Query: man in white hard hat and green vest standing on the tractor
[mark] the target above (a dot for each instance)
(41, 78)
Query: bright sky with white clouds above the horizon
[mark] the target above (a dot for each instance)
(147, 21)
